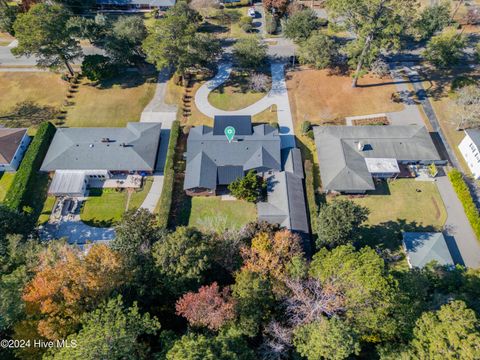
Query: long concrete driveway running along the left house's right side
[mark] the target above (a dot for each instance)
(158, 111)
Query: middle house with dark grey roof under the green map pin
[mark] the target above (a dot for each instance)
(213, 162)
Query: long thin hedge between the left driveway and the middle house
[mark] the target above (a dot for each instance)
(165, 202)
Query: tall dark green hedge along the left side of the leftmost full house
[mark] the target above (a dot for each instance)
(21, 193)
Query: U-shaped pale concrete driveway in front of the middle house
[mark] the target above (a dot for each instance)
(278, 96)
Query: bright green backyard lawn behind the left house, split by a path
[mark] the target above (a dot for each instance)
(105, 207)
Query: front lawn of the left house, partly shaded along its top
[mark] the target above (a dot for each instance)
(112, 104)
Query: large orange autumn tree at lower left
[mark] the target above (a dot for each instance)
(69, 284)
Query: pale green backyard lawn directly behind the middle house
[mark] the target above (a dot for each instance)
(211, 213)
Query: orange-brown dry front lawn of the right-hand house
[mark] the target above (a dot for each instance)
(319, 97)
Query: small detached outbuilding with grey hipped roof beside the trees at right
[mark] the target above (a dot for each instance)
(424, 247)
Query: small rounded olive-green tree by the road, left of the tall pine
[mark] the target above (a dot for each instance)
(318, 50)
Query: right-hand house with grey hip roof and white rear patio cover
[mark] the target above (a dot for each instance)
(351, 157)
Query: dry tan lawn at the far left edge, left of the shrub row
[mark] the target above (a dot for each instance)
(42, 88)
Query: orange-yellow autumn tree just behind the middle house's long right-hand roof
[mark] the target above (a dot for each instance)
(277, 257)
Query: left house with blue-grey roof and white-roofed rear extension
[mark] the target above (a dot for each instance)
(79, 157)
